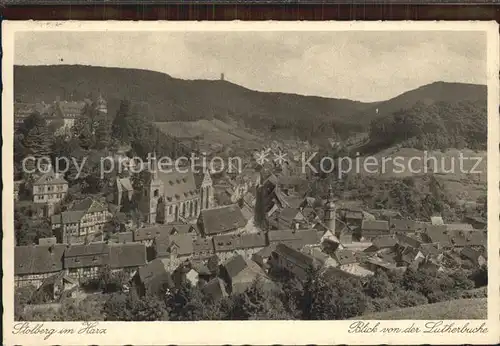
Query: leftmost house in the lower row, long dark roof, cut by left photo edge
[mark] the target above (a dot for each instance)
(35, 263)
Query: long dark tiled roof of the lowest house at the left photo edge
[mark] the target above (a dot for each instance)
(38, 259)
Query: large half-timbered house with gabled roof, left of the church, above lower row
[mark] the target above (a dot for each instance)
(84, 222)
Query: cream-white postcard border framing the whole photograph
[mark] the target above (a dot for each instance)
(249, 332)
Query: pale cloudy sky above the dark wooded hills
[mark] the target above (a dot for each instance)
(364, 66)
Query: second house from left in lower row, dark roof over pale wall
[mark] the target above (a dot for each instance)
(83, 261)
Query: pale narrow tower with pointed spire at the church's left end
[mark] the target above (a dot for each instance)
(152, 194)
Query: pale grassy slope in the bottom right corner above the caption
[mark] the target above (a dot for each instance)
(459, 309)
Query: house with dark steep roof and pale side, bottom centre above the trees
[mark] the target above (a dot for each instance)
(240, 273)
